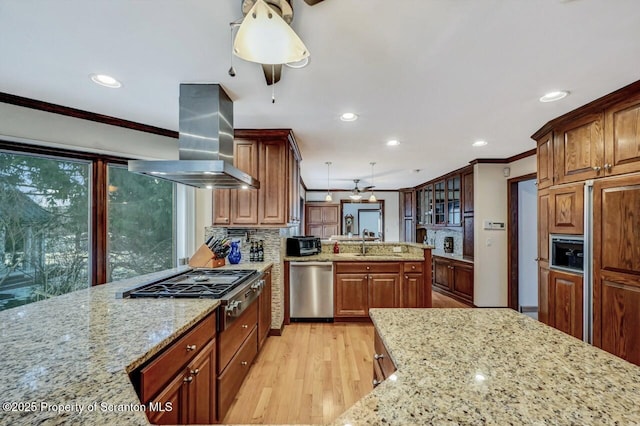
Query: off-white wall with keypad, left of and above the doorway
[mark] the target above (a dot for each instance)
(490, 247)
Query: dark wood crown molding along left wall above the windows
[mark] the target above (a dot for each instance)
(84, 115)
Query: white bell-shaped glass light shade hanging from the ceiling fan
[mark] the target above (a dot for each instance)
(264, 37)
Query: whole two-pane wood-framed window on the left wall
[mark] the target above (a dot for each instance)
(69, 220)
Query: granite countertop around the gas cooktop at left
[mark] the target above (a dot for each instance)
(77, 350)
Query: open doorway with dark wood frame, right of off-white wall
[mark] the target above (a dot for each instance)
(523, 244)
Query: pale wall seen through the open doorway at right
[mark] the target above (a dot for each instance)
(527, 243)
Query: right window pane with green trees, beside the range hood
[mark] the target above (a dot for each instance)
(140, 218)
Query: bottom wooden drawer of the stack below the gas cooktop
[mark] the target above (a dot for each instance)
(230, 381)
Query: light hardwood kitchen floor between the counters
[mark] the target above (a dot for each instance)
(311, 374)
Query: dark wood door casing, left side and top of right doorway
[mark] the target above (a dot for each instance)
(512, 239)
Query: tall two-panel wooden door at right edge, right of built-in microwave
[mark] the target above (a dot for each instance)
(616, 266)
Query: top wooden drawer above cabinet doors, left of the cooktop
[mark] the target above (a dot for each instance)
(155, 375)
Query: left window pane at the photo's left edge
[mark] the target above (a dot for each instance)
(44, 227)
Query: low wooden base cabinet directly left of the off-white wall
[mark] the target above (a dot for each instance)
(455, 278)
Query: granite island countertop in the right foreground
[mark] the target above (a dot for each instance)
(493, 366)
